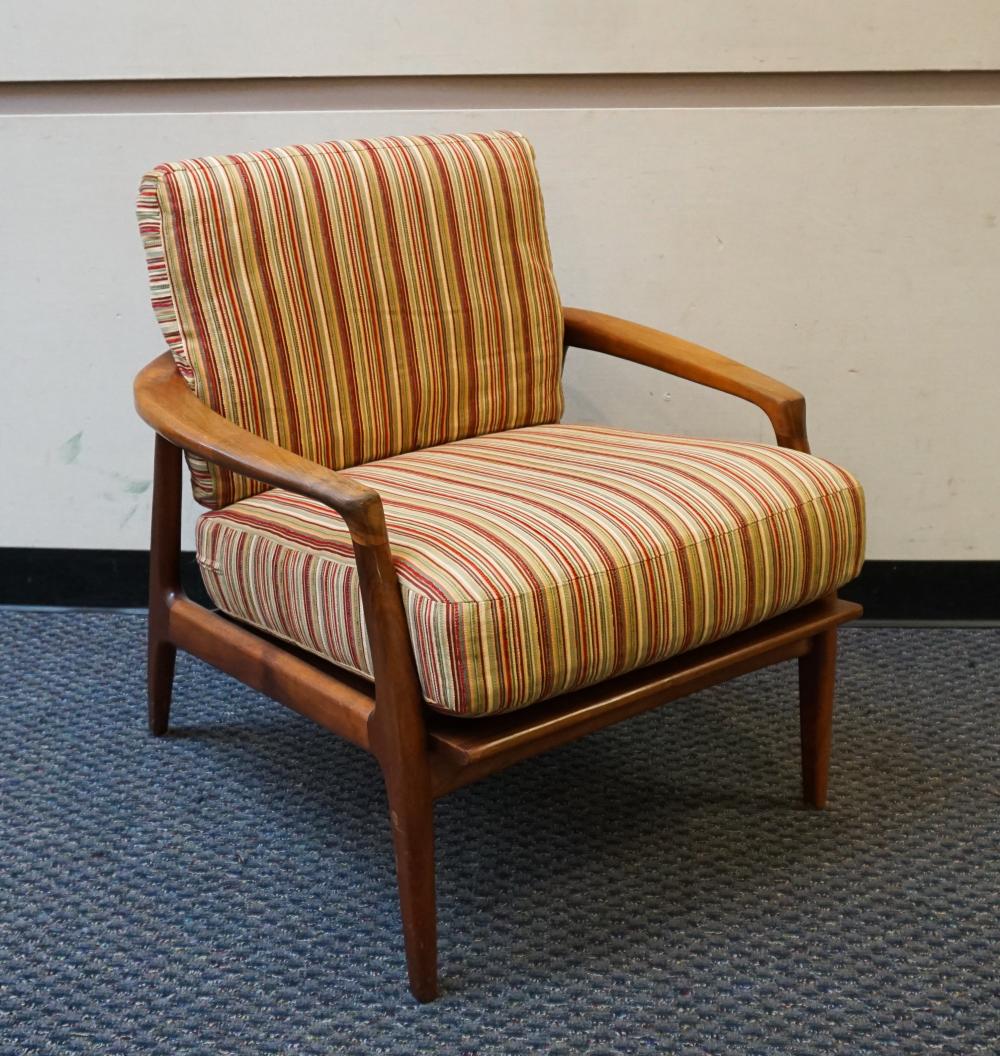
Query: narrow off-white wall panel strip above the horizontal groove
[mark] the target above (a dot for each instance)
(109, 40)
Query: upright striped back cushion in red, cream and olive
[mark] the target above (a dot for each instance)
(356, 300)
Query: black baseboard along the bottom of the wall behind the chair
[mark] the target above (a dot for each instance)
(895, 592)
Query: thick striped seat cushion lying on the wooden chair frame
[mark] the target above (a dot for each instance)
(540, 560)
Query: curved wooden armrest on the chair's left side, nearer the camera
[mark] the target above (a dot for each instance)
(165, 402)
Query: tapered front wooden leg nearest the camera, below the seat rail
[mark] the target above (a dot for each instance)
(412, 818)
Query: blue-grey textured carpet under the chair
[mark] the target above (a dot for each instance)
(654, 889)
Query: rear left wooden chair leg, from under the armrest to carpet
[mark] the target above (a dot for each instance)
(164, 581)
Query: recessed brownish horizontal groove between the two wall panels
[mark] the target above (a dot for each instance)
(956, 88)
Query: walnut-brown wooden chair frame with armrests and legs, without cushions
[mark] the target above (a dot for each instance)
(424, 755)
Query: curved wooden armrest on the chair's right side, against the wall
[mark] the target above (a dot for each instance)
(783, 405)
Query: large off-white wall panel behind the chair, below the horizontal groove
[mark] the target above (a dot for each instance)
(854, 253)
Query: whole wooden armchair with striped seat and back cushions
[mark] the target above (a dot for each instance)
(404, 543)
